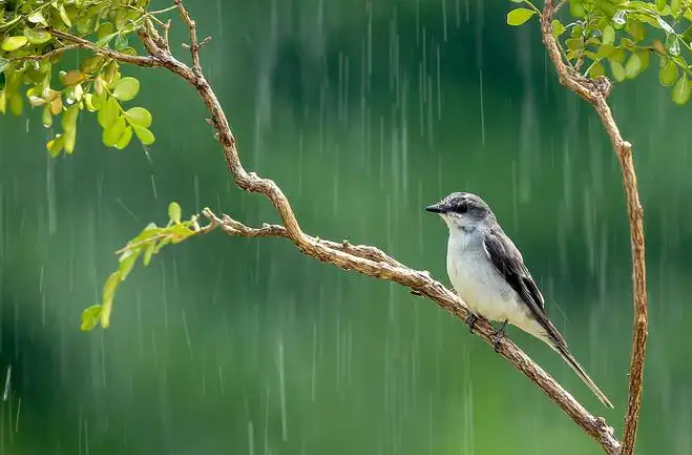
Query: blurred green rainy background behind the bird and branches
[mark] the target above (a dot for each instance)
(363, 111)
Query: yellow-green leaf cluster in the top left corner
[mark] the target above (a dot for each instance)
(30, 52)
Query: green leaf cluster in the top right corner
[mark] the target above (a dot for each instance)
(622, 36)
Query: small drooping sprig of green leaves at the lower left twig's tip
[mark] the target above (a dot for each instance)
(148, 243)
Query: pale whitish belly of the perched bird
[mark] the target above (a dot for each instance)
(484, 293)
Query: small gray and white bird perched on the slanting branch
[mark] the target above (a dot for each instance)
(488, 273)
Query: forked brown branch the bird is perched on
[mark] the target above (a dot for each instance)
(363, 259)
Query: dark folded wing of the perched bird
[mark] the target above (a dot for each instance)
(508, 261)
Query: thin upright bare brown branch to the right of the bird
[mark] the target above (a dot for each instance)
(596, 93)
